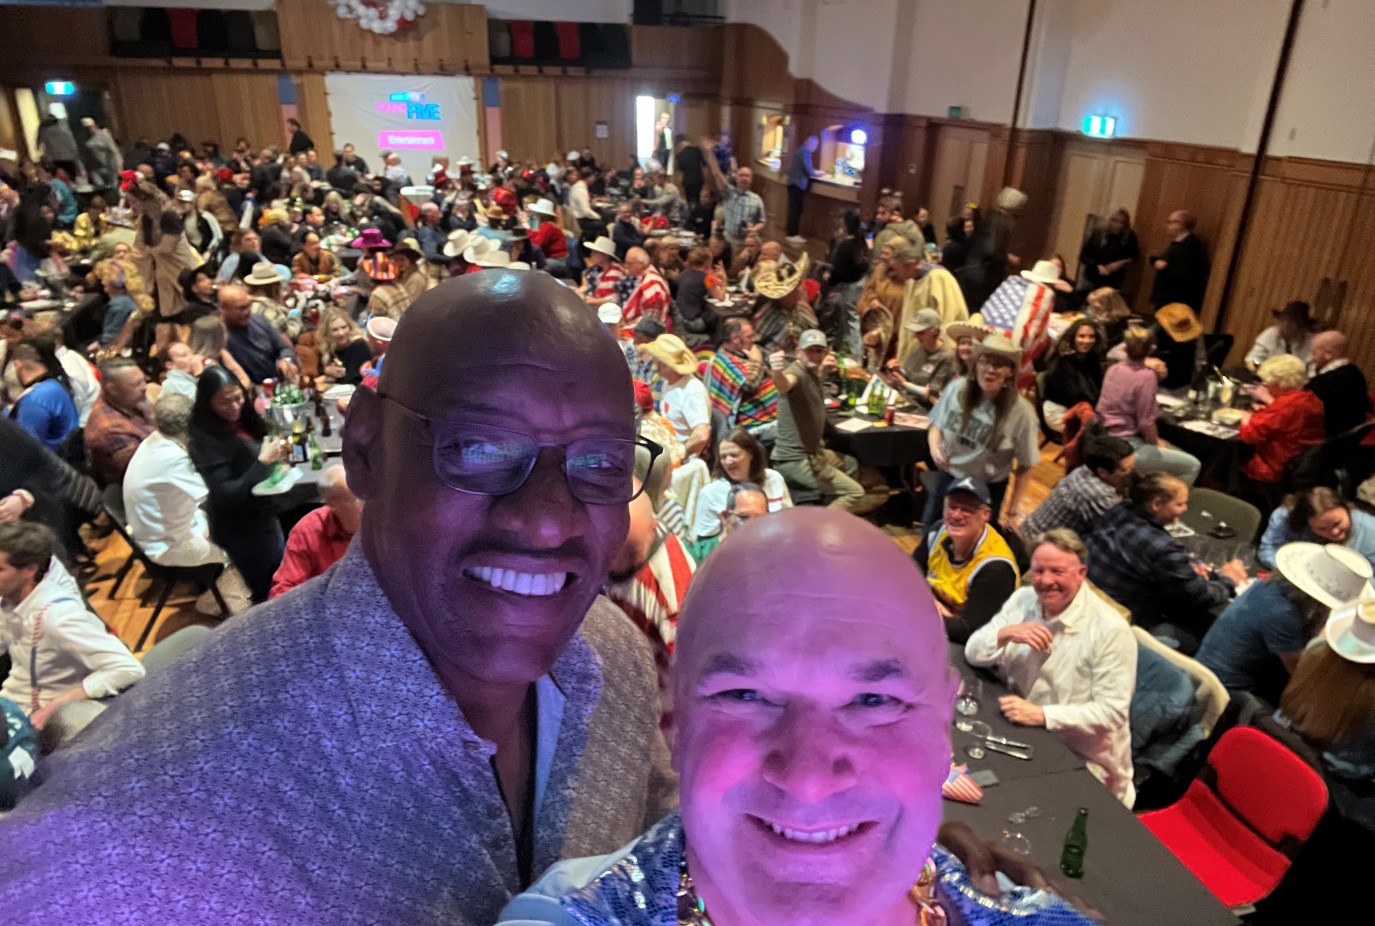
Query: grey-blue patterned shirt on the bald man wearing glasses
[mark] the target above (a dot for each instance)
(307, 767)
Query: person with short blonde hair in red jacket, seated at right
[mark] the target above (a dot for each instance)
(1286, 422)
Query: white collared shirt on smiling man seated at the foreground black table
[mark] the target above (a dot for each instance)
(1084, 683)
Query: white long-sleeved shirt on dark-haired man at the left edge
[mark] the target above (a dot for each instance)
(74, 646)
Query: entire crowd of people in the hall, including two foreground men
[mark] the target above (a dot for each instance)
(534, 583)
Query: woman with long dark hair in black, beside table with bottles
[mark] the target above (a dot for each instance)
(233, 452)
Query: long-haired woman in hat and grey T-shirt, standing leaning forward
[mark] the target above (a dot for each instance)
(982, 429)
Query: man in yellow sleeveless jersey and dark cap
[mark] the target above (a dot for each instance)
(970, 568)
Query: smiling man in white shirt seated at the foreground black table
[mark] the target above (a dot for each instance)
(1070, 656)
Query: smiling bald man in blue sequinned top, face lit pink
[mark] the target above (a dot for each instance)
(751, 661)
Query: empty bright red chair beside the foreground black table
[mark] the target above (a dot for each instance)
(1244, 818)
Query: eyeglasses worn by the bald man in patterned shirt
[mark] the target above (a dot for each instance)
(485, 460)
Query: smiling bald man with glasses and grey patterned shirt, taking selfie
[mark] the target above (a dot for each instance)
(443, 715)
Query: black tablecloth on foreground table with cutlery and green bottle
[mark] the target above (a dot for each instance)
(1130, 876)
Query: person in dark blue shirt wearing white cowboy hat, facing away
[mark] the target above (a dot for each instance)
(1256, 643)
